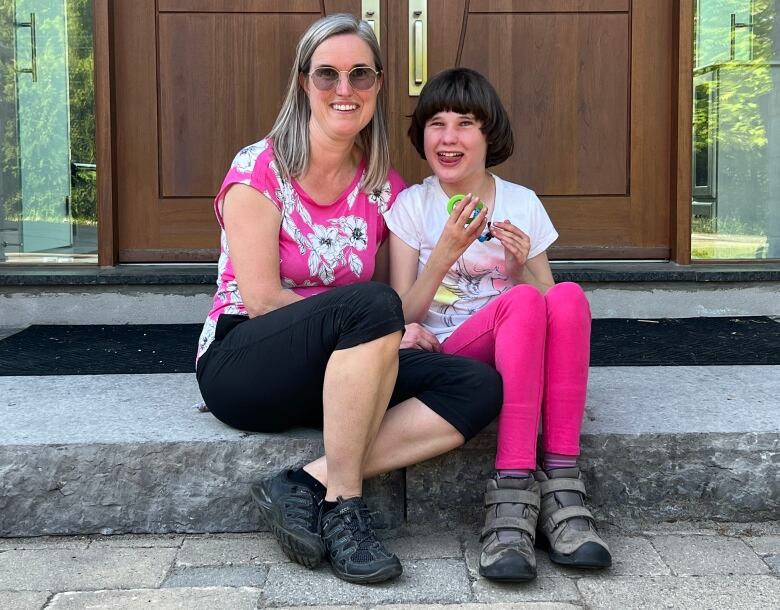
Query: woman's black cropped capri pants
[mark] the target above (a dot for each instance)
(266, 374)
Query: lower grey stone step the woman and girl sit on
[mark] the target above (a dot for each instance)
(130, 454)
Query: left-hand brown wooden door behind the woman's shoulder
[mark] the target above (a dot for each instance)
(195, 80)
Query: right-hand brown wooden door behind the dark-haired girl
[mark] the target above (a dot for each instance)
(587, 85)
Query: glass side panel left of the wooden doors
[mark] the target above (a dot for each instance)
(47, 180)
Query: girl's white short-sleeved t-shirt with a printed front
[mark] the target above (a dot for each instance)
(478, 276)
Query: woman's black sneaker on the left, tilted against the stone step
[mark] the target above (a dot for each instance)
(291, 511)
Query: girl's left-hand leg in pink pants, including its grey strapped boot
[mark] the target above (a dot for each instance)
(510, 333)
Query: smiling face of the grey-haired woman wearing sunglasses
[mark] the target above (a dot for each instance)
(342, 112)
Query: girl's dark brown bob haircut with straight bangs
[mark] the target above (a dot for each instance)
(465, 91)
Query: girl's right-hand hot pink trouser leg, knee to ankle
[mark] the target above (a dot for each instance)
(565, 369)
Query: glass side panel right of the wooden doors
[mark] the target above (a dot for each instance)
(736, 130)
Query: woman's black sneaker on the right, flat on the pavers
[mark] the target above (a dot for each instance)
(351, 545)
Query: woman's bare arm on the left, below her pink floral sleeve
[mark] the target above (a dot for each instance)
(252, 227)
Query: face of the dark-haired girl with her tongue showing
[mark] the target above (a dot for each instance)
(455, 148)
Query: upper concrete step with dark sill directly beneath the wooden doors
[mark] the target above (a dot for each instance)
(169, 294)
